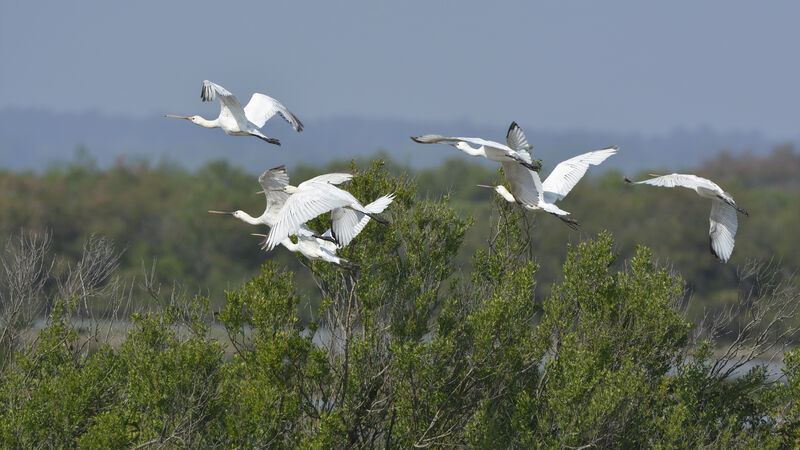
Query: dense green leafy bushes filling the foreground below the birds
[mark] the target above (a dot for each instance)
(410, 350)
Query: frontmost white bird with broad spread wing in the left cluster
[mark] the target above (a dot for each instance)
(319, 195)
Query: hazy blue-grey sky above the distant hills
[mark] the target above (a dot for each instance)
(611, 65)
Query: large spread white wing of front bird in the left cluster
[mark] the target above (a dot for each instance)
(310, 201)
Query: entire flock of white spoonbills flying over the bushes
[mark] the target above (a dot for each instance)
(288, 207)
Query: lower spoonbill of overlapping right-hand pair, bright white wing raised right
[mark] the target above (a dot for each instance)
(527, 188)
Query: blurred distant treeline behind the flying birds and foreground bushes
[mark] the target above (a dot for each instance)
(157, 214)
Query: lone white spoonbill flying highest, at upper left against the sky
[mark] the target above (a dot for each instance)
(237, 121)
